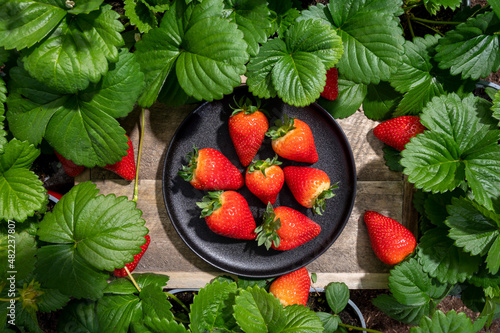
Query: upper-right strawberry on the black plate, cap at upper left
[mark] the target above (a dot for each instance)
(293, 139)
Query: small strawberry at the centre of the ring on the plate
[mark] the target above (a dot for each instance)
(265, 179)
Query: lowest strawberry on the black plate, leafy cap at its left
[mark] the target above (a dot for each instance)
(285, 228)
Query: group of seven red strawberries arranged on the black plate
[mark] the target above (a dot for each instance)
(227, 212)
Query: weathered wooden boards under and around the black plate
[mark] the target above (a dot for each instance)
(350, 259)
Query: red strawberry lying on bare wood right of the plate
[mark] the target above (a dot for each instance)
(390, 240)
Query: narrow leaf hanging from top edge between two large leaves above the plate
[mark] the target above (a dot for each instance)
(251, 16)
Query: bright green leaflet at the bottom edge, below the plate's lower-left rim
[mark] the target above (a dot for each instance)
(212, 307)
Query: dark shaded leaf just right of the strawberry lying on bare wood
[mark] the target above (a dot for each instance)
(444, 261)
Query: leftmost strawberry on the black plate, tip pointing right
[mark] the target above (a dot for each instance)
(208, 169)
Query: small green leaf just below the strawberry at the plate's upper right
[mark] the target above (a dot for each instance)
(349, 100)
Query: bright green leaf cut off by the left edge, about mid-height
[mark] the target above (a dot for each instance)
(22, 193)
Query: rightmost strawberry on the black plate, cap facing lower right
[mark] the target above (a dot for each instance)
(309, 186)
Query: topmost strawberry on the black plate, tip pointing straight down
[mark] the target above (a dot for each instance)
(247, 128)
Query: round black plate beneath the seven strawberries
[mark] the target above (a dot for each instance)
(207, 126)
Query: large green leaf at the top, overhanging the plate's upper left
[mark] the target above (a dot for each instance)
(205, 51)
